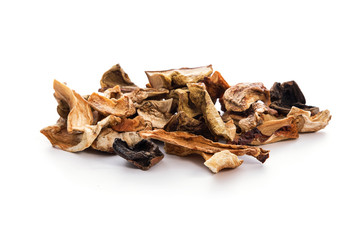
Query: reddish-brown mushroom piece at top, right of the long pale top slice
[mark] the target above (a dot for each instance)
(216, 86)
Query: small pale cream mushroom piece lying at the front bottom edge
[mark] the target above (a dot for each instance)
(221, 160)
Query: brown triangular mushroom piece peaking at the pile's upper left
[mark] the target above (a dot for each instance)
(115, 76)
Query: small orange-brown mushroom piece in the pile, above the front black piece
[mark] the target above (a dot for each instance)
(132, 125)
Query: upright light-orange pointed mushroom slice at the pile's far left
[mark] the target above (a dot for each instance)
(79, 114)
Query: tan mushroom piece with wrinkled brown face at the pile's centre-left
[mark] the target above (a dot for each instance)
(157, 112)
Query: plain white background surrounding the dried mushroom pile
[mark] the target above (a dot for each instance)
(307, 189)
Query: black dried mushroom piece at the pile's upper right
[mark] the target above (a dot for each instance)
(288, 94)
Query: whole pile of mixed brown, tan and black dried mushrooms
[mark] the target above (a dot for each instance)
(177, 107)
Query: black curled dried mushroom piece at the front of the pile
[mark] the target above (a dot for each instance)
(143, 154)
